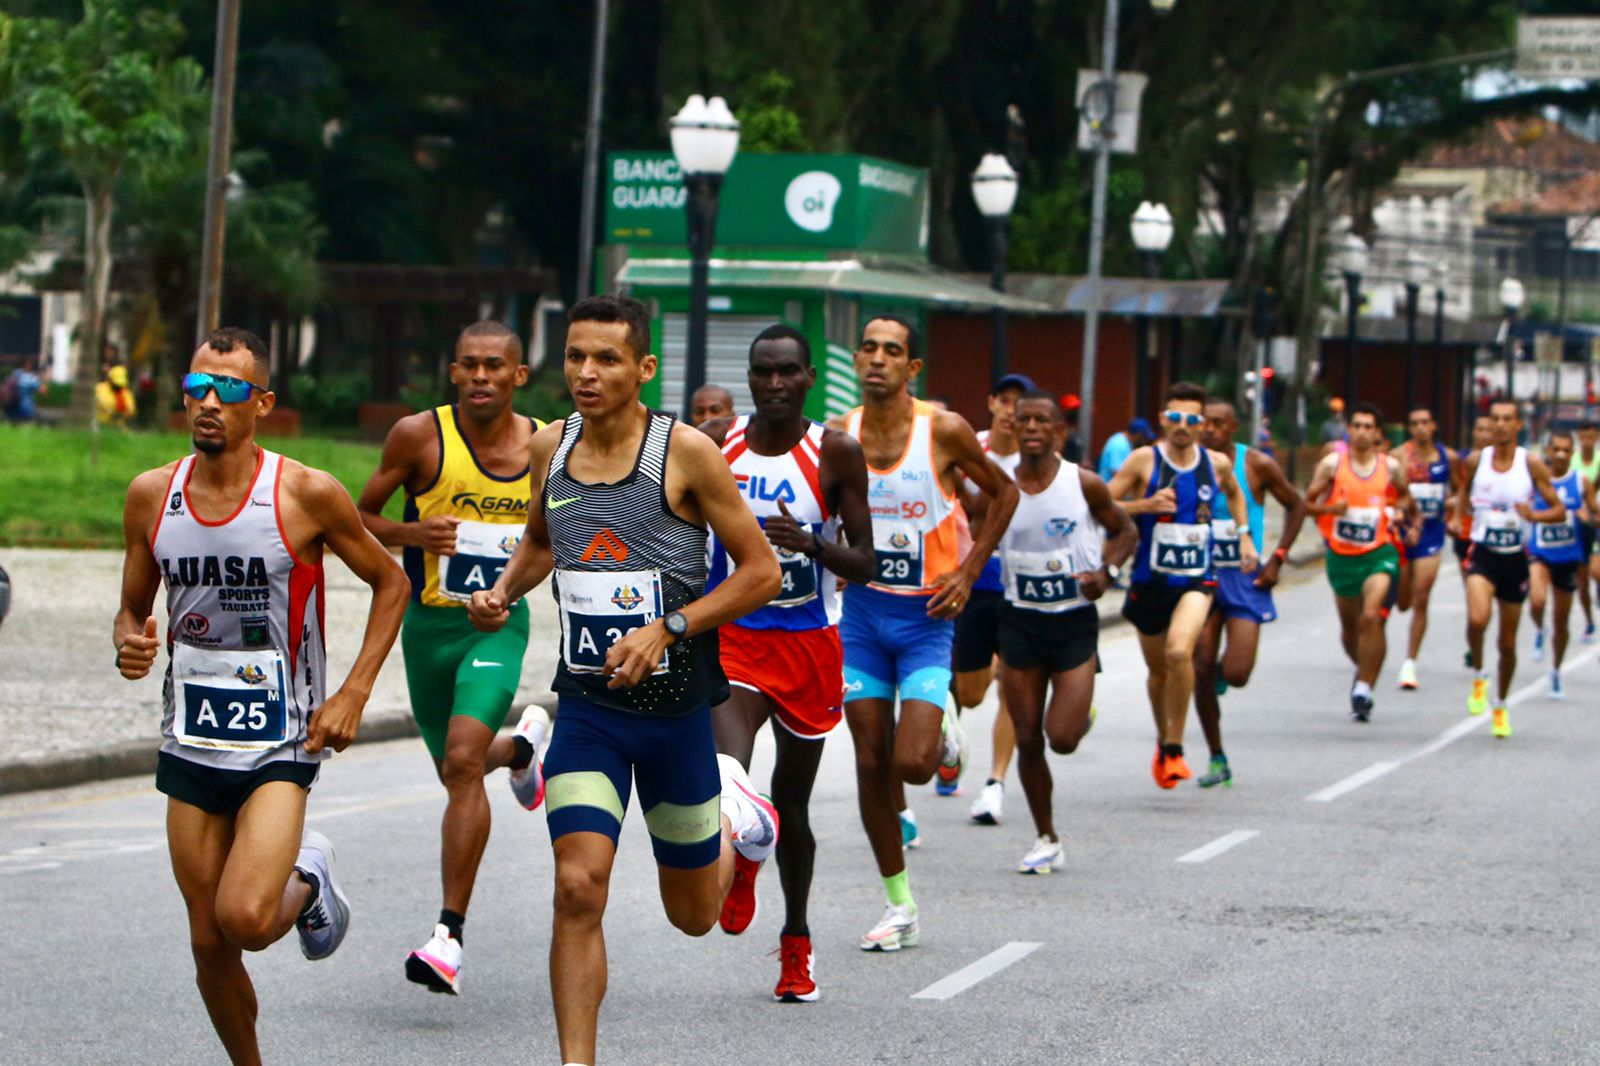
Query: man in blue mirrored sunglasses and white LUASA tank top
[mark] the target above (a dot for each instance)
(239, 537)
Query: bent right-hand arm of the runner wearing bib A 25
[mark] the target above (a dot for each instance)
(343, 534)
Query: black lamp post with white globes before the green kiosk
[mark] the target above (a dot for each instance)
(705, 142)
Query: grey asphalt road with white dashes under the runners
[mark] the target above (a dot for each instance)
(1417, 892)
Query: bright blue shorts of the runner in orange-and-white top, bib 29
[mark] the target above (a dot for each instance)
(892, 644)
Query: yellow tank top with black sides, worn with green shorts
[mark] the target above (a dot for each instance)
(494, 513)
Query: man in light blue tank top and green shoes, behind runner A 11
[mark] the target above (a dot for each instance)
(1244, 604)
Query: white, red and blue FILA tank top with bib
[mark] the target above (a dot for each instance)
(810, 593)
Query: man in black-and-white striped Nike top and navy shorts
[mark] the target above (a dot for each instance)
(620, 500)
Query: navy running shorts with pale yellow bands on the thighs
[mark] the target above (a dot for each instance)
(596, 756)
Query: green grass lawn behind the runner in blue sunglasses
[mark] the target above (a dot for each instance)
(54, 494)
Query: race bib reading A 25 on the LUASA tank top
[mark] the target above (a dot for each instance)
(230, 700)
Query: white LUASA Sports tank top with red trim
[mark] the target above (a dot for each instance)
(246, 630)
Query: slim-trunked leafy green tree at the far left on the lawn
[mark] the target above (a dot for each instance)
(106, 97)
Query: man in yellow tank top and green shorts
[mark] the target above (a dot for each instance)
(465, 468)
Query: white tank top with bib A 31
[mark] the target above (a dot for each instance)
(1052, 539)
